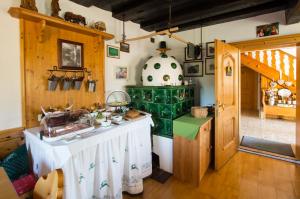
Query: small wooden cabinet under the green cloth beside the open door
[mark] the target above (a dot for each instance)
(191, 158)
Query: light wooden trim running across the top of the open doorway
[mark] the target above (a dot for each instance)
(268, 43)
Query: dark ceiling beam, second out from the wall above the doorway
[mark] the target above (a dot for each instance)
(202, 11)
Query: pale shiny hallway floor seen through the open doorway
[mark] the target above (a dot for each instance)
(270, 129)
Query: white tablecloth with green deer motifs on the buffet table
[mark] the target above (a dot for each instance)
(100, 164)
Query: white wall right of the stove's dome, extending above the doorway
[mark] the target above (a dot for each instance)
(239, 30)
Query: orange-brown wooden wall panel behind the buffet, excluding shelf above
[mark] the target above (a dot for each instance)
(41, 56)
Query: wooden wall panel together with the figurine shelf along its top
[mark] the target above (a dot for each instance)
(39, 35)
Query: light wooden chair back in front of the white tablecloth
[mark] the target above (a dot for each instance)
(50, 186)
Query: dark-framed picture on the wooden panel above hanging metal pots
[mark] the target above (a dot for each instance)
(70, 55)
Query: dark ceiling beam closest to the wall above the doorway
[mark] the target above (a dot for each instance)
(233, 16)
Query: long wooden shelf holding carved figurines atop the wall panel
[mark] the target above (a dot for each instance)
(45, 20)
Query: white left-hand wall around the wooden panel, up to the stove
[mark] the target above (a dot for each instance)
(10, 85)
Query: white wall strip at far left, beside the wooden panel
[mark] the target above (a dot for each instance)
(10, 90)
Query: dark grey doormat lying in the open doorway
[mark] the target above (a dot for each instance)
(269, 146)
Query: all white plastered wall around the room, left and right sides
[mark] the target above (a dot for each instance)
(10, 85)
